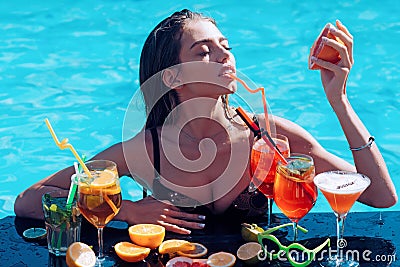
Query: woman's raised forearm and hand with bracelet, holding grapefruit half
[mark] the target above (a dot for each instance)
(369, 161)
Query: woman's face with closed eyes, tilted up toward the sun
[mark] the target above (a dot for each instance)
(206, 59)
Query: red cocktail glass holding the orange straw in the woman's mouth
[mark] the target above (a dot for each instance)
(263, 162)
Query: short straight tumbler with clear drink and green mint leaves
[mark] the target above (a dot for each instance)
(63, 223)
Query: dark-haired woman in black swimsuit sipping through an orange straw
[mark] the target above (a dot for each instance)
(194, 150)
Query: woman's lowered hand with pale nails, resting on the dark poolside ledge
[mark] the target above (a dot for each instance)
(150, 210)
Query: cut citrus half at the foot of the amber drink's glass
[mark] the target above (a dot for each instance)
(80, 255)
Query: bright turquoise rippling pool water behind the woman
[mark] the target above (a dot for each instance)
(77, 64)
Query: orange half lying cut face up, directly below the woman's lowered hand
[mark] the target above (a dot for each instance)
(147, 235)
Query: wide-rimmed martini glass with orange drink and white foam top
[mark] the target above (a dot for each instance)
(341, 189)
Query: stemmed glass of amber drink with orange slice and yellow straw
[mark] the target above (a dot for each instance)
(99, 199)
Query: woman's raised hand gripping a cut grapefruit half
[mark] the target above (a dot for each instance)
(334, 76)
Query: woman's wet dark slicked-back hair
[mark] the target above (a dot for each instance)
(161, 51)
